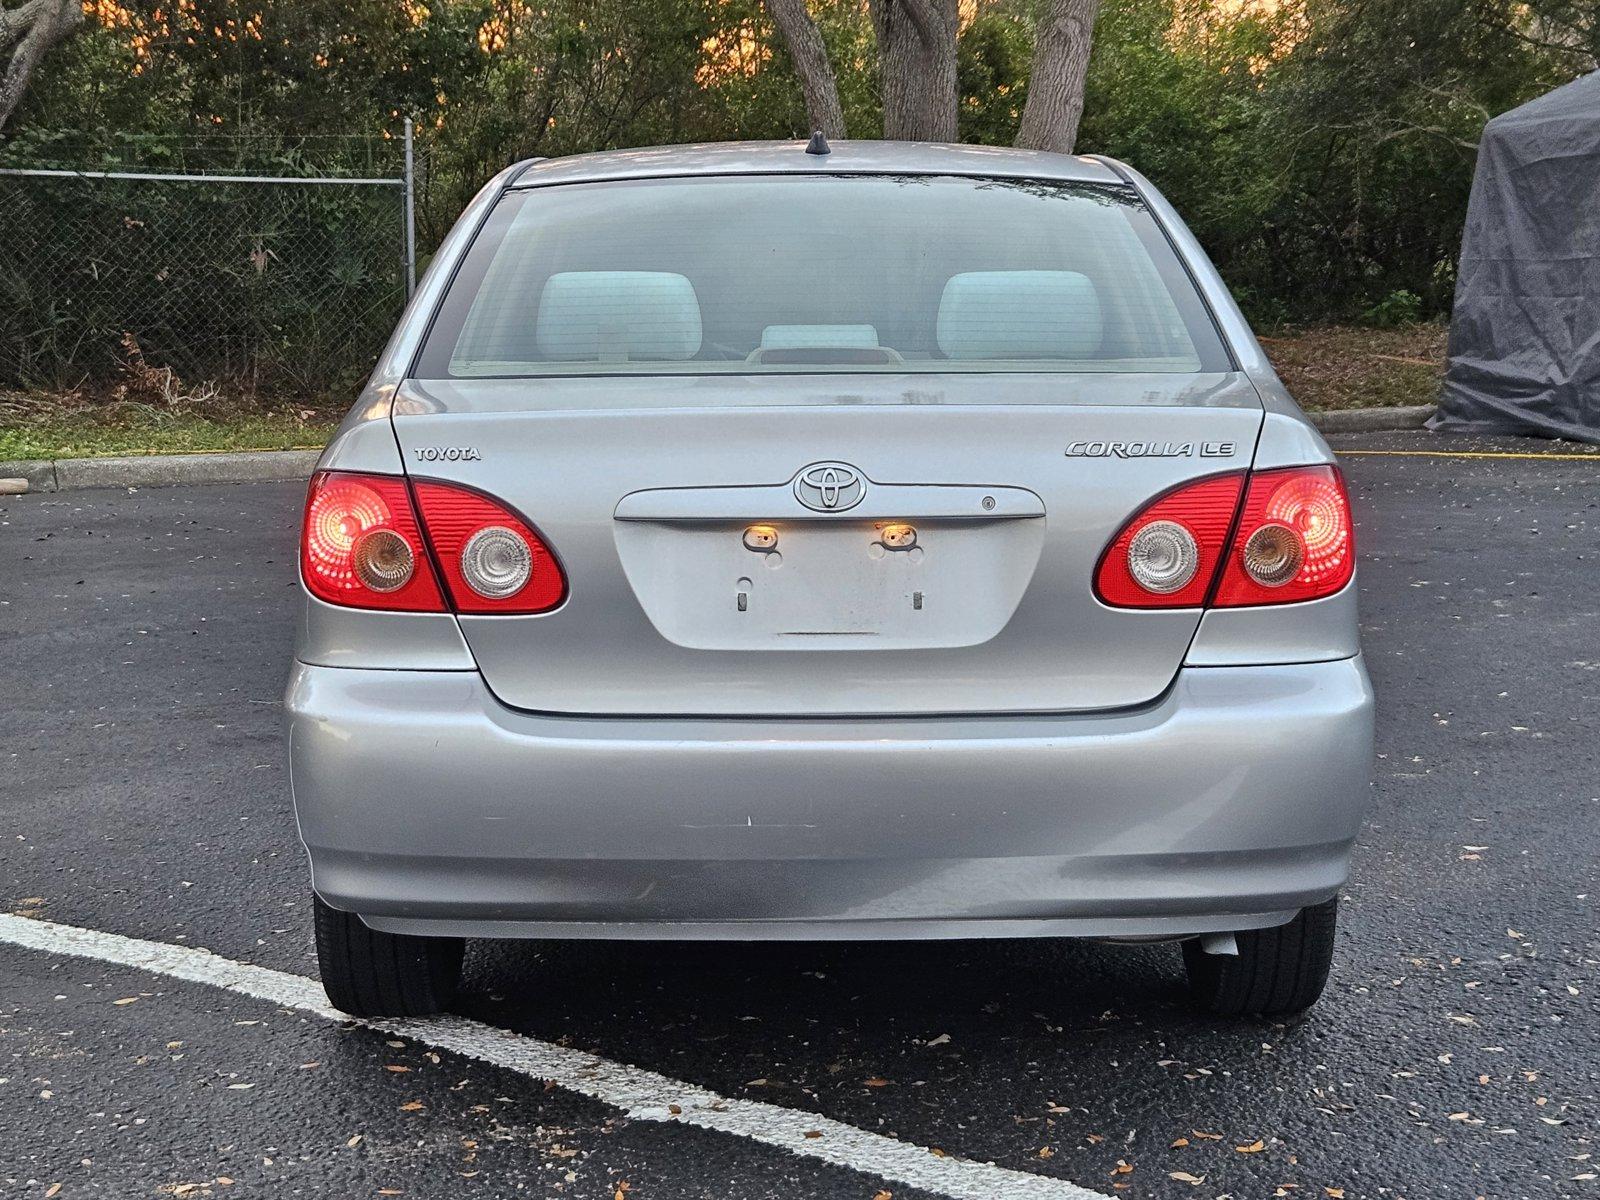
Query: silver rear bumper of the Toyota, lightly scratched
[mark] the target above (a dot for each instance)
(428, 807)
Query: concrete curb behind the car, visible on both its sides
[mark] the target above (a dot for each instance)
(260, 466)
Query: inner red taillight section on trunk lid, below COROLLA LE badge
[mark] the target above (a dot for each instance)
(1167, 556)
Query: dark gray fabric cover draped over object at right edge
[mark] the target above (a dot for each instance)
(1526, 334)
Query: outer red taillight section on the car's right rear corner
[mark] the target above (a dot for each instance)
(1295, 540)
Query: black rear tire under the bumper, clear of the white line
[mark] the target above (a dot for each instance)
(1278, 972)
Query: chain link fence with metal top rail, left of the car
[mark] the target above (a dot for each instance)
(265, 284)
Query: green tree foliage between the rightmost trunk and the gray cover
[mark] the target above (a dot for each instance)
(1322, 151)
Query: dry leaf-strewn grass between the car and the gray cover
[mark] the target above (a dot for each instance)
(1351, 367)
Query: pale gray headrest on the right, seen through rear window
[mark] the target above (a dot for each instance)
(1020, 314)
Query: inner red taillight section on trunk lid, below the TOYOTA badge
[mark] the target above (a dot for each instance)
(492, 559)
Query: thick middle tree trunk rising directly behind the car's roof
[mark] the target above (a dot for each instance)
(918, 68)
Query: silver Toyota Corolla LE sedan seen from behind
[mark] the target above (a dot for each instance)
(892, 542)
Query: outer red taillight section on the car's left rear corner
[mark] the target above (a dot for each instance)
(362, 548)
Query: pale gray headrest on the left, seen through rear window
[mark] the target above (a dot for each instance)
(618, 316)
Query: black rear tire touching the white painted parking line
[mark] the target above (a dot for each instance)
(372, 974)
